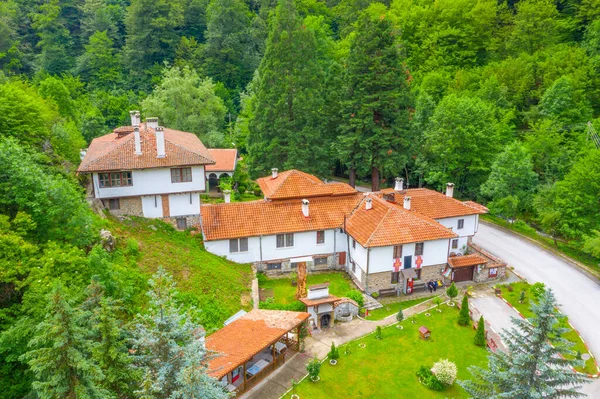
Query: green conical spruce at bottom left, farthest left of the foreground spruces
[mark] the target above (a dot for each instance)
(59, 358)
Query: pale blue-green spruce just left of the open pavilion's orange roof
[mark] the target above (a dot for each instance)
(169, 349)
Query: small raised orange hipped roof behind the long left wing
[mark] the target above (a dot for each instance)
(296, 184)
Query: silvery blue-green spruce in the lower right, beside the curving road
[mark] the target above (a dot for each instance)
(532, 368)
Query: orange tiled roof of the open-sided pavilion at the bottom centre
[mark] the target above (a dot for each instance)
(239, 341)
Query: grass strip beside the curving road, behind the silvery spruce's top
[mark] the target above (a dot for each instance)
(571, 335)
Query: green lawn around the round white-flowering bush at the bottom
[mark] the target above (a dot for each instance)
(386, 368)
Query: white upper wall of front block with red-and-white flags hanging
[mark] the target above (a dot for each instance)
(434, 253)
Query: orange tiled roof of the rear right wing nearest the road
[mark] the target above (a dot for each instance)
(433, 204)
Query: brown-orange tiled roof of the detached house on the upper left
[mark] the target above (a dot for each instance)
(116, 151)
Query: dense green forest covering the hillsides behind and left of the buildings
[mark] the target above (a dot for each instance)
(494, 96)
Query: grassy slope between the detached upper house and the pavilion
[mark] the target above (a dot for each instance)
(216, 286)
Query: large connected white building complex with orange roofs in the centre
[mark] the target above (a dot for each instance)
(394, 240)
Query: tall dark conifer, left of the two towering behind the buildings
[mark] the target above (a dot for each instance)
(287, 127)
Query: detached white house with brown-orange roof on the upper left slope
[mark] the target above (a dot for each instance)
(148, 170)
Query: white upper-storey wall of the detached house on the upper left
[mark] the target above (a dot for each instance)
(152, 181)
